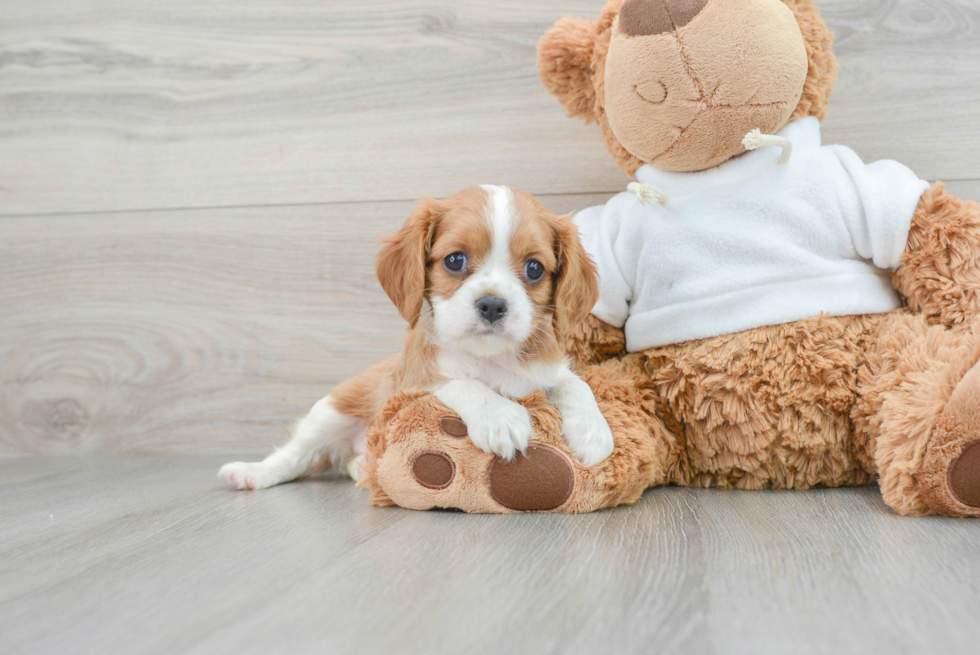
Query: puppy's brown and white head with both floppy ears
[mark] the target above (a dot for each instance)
(501, 273)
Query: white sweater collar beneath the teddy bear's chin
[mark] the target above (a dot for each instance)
(804, 133)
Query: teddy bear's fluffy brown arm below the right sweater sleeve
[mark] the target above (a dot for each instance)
(939, 276)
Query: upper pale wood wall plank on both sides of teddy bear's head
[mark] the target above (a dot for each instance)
(130, 104)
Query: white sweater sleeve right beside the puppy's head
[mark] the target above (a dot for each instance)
(599, 228)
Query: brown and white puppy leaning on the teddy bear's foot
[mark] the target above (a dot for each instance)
(488, 281)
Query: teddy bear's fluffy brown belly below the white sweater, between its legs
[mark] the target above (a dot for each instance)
(767, 408)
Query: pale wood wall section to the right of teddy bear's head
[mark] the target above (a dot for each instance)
(909, 83)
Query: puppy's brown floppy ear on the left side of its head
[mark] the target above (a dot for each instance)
(402, 262)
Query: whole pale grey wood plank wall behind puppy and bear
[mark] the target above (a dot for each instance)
(191, 192)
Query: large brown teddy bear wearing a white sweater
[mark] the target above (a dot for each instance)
(774, 313)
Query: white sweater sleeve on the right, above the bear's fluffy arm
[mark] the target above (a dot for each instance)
(879, 200)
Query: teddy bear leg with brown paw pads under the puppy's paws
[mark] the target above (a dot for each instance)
(419, 456)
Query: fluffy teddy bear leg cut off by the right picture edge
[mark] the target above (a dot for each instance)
(920, 410)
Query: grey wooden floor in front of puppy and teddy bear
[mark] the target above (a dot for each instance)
(131, 554)
